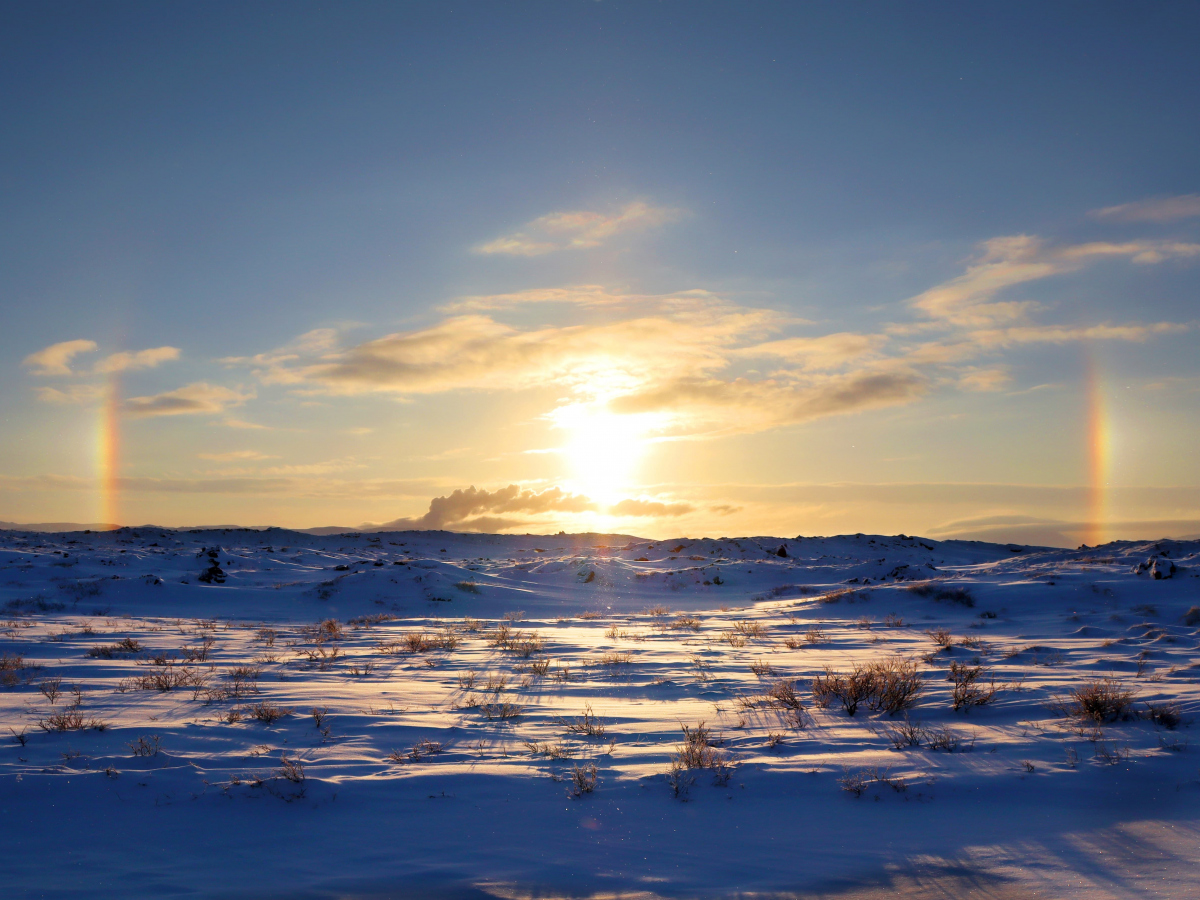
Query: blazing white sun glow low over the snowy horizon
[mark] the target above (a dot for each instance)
(603, 451)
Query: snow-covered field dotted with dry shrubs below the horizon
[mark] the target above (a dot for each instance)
(236, 713)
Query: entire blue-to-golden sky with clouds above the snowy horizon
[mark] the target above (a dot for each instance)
(220, 181)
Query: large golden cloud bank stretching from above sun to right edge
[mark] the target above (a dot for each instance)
(689, 357)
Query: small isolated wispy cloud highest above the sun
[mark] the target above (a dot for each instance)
(579, 230)
